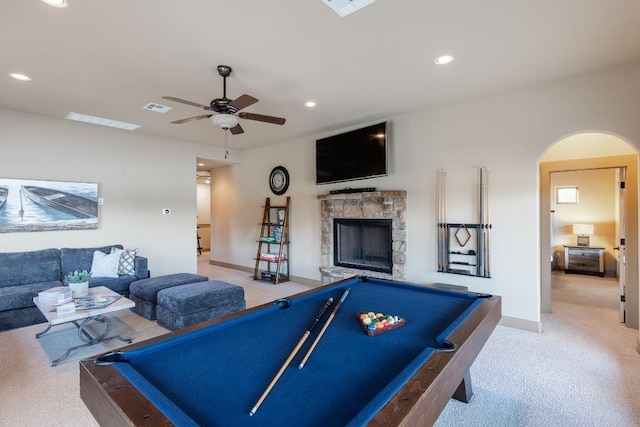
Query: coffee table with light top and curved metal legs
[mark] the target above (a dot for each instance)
(82, 317)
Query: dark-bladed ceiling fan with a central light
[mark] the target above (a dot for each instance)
(226, 112)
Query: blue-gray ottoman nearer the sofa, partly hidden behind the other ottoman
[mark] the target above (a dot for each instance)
(145, 292)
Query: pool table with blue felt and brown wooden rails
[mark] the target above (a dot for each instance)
(212, 374)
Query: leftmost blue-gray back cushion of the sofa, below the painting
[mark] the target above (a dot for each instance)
(19, 268)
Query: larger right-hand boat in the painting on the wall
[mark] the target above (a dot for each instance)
(65, 202)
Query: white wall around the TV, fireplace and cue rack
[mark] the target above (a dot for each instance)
(506, 132)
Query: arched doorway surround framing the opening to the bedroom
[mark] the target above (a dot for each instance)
(586, 151)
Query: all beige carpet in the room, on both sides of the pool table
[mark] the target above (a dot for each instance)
(581, 371)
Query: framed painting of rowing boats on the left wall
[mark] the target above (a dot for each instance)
(33, 205)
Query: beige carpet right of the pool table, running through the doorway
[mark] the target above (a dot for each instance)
(583, 370)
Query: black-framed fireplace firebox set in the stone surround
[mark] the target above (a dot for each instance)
(364, 244)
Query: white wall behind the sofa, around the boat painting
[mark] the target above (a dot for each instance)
(137, 176)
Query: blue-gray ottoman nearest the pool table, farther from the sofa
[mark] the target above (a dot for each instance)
(186, 305)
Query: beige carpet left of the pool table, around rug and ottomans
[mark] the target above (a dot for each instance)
(32, 393)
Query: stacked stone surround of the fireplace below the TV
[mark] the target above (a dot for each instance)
(371, 205)
